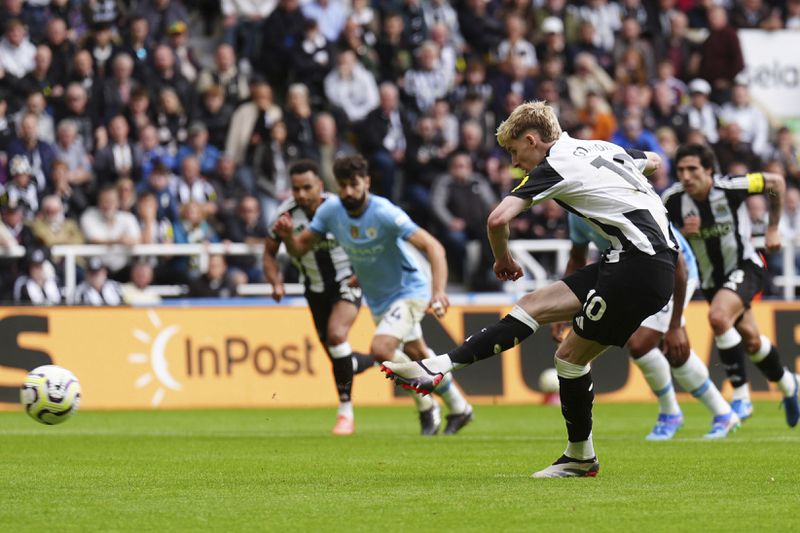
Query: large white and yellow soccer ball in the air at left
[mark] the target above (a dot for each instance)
(51, 394)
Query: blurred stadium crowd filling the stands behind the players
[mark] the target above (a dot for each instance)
(158, 121)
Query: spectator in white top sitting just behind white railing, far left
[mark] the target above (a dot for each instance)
(107, 224)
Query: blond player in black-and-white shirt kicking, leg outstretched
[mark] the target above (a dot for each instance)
(606, 300)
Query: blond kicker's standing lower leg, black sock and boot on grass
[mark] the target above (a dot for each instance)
(577, 394)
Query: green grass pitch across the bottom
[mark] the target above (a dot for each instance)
(280, 470)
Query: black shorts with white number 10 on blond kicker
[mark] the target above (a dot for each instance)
(617, 297)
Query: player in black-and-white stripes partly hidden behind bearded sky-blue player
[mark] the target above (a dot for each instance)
(333, 296)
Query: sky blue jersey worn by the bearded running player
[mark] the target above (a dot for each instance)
(376, 244)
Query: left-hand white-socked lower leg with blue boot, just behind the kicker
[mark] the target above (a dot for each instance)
(655, 368)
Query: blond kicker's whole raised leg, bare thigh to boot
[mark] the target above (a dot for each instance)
(553, 303)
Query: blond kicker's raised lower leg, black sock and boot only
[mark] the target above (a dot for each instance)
(425, 376)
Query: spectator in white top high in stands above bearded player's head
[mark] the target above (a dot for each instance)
(351, 88)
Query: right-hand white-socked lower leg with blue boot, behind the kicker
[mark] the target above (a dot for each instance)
(693, 377)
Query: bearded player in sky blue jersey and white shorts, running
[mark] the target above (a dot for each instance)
(375, 234)
